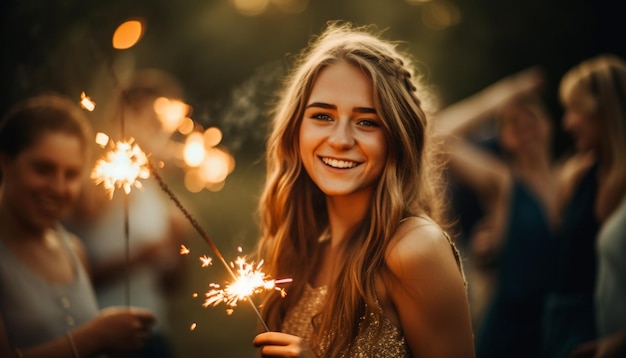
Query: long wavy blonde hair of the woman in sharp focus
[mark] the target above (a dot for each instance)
(292, 209)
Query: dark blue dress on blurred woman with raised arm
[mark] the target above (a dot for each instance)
(512, 323)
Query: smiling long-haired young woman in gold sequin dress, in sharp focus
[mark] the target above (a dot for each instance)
(351, 211)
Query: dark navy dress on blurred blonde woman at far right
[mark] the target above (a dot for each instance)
(569, 313)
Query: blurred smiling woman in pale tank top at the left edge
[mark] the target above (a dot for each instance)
(47, 304)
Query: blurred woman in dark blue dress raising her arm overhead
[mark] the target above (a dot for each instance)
(514, 179)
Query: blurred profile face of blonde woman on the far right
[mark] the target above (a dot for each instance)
(581, 122)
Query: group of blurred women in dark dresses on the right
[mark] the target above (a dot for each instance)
(543, 235)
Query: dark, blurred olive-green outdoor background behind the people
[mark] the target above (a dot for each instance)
(229, 56)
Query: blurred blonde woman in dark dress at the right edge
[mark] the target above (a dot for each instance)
(589, 299)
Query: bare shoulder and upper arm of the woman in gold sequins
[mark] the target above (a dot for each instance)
(428, 291)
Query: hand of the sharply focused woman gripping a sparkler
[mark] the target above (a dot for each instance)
(277, 344)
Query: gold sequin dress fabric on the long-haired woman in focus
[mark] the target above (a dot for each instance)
(389, 343)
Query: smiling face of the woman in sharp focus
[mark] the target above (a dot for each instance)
(342, 141)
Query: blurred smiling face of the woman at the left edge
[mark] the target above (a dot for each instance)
(43, 182)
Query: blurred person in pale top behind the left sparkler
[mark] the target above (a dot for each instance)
(153, 267)
